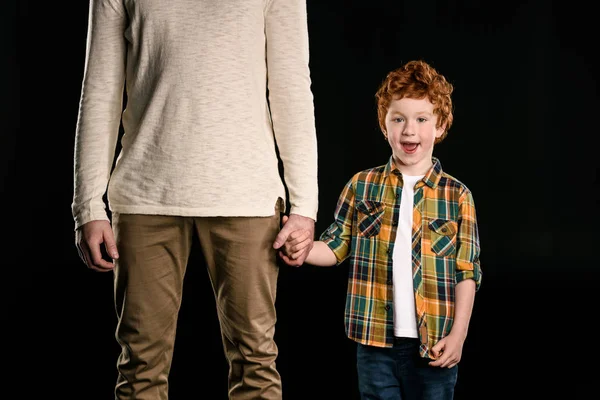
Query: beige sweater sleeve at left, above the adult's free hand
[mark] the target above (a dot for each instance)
(100, 109)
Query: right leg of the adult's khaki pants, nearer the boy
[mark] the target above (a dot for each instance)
(243, 271)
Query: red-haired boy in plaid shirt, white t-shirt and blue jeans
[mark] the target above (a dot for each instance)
(410, 232)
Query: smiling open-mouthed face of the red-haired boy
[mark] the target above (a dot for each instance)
(411, 132)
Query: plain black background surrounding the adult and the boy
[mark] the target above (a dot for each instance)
(523, 141)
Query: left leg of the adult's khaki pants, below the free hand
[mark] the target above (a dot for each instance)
(148, 282)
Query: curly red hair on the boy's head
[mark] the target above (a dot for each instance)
(417, 80)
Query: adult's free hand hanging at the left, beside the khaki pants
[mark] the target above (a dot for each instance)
(89, 238)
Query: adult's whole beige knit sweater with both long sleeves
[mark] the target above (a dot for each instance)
(200, 131)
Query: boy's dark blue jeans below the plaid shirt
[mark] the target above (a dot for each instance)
(399, 373)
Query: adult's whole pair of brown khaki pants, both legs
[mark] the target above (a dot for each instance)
(148, 283)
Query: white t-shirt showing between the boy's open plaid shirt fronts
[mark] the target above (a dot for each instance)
(405, 320)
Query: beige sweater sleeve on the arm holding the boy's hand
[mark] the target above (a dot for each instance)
(291, 101)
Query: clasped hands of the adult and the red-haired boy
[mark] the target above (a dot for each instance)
(295, 240)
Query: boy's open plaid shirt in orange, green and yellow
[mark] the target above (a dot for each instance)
(445, 251)
